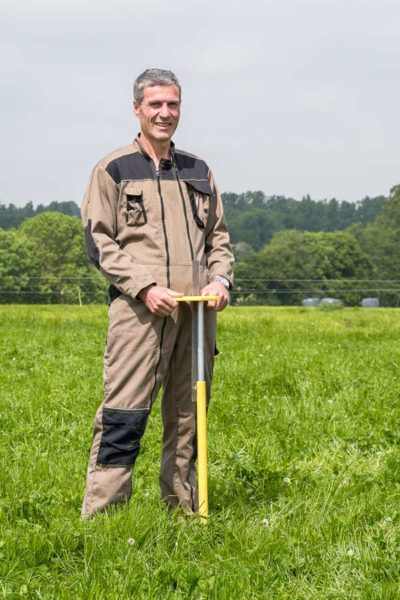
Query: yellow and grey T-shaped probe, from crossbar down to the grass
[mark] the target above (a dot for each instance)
(201, 401)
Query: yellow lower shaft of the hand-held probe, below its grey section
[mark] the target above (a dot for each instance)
(202, 450)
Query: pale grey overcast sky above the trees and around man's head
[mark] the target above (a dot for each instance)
(292, 97)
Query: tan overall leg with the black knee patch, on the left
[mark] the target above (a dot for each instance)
(131, 383)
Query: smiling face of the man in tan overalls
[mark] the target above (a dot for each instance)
(159, 112)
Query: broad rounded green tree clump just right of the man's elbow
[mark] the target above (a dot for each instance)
(296, 265)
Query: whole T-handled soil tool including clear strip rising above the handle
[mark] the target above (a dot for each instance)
(199, 386)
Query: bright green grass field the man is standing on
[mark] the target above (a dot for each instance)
(304, 434)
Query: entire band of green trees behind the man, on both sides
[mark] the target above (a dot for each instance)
(285, 250)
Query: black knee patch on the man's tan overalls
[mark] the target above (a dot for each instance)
(120, 441)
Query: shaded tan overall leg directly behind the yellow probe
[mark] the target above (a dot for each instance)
(178, 472)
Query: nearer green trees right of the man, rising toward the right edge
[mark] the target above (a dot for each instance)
(362, 260)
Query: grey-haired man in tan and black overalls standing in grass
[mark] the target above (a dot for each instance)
(149, 211)
